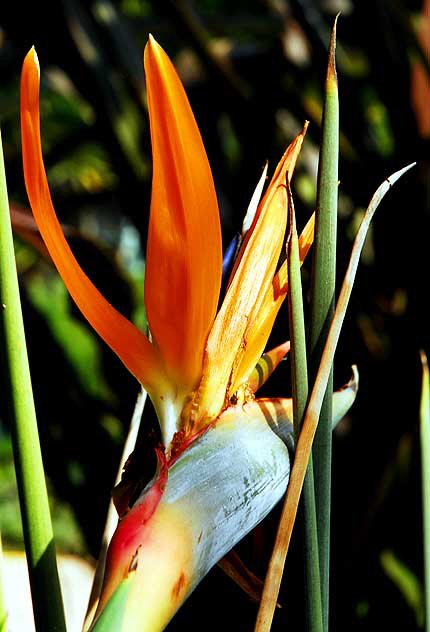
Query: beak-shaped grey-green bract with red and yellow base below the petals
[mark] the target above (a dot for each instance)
(217, 490)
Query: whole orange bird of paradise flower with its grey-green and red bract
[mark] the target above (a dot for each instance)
(222, 468)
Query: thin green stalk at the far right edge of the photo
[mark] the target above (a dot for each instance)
(425, 469)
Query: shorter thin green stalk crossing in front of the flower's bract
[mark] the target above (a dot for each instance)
(300, 390)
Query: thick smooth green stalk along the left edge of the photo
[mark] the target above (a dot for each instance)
(39, 542)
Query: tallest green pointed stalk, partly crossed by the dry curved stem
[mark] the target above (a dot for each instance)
(322, 308)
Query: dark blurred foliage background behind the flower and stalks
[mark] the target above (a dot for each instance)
(254, 71)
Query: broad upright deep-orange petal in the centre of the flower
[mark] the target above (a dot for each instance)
(184, 253)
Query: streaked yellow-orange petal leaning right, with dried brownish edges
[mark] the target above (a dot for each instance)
(228, 343)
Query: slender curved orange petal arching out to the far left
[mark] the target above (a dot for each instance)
(134, 349)
